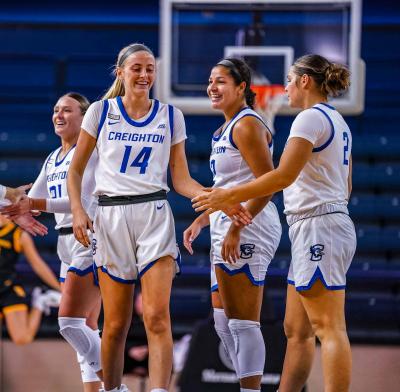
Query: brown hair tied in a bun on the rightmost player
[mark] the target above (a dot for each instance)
(330, 78)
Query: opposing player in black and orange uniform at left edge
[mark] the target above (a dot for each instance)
(22, 324)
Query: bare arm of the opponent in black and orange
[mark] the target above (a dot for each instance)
(38, 265)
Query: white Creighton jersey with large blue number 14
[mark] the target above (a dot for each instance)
(133, 154)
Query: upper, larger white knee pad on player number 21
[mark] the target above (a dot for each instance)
(82, 338)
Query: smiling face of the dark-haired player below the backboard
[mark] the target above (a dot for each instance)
(222, 89)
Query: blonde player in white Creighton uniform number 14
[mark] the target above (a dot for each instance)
(134, 237)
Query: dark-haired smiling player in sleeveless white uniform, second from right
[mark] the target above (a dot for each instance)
(241, 151)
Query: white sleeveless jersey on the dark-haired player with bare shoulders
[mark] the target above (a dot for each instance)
(226, 162)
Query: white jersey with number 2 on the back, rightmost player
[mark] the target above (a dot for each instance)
(324, 178)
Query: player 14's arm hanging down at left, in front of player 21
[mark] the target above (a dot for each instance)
(81, 221)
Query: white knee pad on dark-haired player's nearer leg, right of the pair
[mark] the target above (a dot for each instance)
(249, 347)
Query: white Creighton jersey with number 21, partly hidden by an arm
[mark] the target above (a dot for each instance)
(52, 183)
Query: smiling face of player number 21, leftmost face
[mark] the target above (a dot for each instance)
(67, 117)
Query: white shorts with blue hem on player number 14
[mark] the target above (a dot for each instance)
(130, 238)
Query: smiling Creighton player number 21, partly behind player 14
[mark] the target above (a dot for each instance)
(80, 303)
